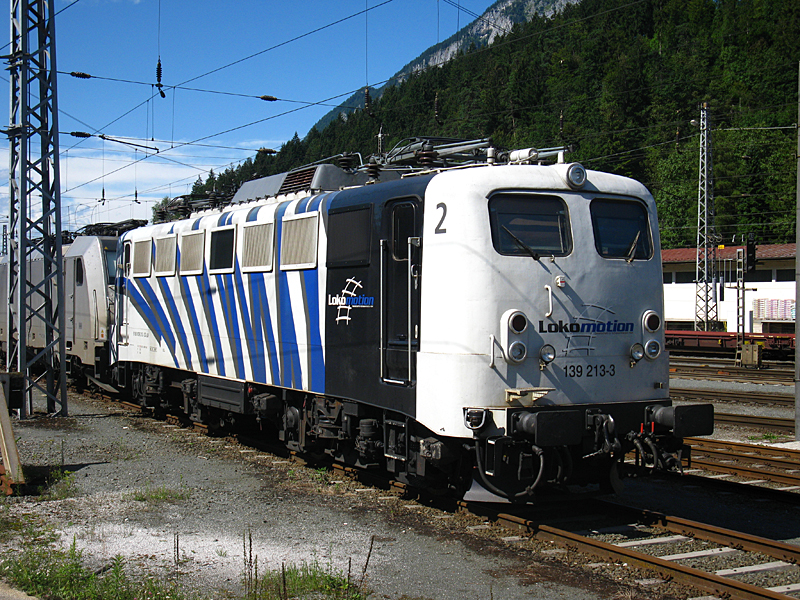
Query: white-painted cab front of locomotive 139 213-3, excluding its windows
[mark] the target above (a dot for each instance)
(468, 286)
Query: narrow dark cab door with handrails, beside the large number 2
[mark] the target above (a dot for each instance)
(401, 259)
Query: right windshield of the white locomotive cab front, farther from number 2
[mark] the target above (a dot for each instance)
(621, 229)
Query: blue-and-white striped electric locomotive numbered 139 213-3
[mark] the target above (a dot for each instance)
(461, 317)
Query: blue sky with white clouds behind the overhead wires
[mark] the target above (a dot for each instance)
(300, 52)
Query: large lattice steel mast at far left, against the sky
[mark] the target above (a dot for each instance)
(35, 274)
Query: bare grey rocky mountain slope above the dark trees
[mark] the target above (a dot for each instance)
(497, 20)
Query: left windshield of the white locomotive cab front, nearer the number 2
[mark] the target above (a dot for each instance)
(541, 223)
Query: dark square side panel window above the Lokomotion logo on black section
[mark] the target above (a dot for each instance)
(349, 237)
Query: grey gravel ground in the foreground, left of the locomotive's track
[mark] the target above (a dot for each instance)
(294, 514)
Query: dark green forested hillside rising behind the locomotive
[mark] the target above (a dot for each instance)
(620, 80)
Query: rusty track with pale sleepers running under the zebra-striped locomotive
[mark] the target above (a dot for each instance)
(642, 539)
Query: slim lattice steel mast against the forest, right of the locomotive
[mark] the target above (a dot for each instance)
(706, 268)
